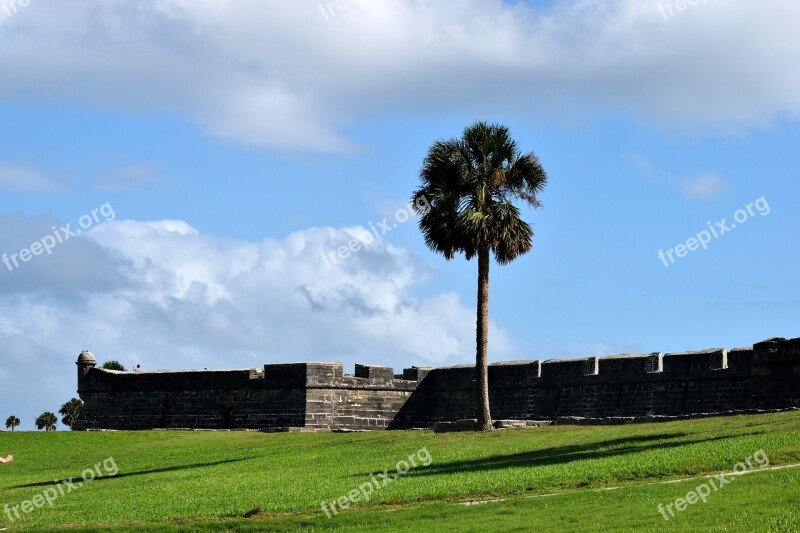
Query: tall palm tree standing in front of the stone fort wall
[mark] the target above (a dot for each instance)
(469, 186)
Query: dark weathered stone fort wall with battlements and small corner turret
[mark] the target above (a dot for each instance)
(319, 396)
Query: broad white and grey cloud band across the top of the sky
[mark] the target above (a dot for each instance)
(277, 74)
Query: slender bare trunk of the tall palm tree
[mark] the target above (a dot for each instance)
(482, 338)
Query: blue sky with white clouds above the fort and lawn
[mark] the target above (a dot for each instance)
(236, 142)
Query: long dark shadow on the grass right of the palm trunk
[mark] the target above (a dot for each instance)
(562, 454)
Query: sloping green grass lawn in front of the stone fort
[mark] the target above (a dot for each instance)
(548, 478)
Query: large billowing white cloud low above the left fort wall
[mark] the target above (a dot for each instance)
(166, 296)
